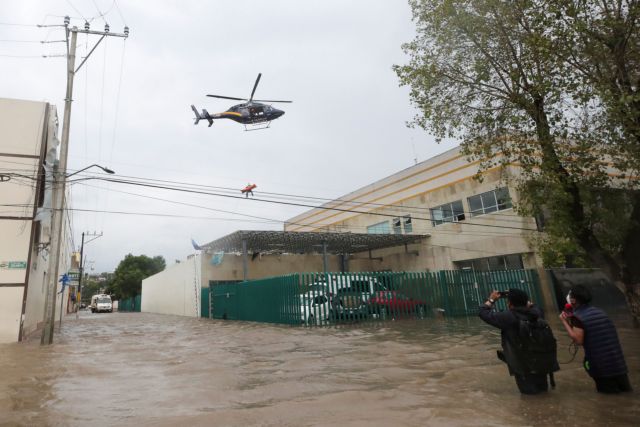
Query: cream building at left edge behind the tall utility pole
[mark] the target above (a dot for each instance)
(28, 149)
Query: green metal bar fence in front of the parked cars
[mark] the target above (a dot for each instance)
(330, 298)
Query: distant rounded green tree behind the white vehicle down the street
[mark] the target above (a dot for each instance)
(127, 279)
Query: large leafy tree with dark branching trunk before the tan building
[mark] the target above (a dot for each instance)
(504, 77)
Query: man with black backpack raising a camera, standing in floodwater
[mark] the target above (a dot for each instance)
(528, 346)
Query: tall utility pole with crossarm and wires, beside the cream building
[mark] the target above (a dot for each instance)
(59, 174)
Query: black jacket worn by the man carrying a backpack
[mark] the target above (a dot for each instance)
(508, 322)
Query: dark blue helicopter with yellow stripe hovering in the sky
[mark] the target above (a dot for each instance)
(250, 113)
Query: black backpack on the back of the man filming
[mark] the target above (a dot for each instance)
(537, 346)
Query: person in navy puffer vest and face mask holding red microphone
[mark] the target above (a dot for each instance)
(590, 327)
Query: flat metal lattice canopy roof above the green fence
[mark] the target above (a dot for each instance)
(308, 242)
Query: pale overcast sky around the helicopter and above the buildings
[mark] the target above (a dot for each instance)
(131, 112)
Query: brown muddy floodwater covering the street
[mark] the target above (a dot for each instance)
(138, 369)
